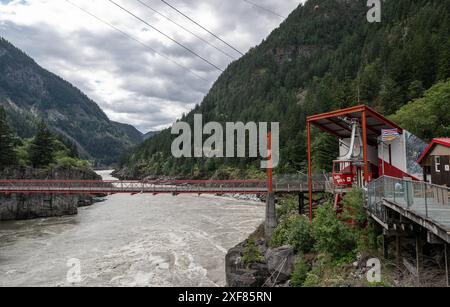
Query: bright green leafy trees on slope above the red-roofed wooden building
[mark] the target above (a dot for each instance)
(428, 117)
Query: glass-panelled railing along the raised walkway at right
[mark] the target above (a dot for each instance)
(425, 199)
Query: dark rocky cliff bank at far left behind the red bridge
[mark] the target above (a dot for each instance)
(22, 207)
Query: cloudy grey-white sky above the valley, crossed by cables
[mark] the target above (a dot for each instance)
(148, 83)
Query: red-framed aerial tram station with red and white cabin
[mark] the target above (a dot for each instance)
(370, 146)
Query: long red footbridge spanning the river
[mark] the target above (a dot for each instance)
(153, 187)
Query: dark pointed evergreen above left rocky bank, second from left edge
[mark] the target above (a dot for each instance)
(42, 148)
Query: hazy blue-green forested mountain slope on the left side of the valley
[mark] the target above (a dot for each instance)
(30, 93)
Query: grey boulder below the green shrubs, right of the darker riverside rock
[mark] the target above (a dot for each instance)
(281, 262)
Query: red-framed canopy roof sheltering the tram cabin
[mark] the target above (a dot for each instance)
(334, 124)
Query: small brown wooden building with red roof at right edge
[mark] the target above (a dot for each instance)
(436, 162)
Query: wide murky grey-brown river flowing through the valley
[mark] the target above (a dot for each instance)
(139, 240)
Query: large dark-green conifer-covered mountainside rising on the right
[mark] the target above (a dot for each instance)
(324, 56)
